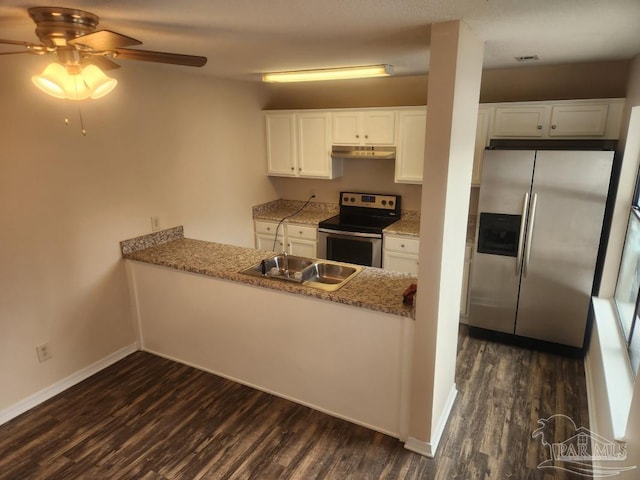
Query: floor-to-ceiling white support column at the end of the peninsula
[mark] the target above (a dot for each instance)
(454, 89)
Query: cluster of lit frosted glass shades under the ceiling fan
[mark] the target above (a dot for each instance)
(56, 81)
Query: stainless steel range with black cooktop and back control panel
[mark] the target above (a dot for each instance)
(355, 235)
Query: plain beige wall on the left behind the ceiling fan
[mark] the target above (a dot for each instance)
(167, 142)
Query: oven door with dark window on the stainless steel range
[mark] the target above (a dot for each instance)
(350, 247)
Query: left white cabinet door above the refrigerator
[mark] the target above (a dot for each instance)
(520, 121)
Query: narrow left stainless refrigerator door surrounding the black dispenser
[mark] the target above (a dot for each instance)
(495, 278)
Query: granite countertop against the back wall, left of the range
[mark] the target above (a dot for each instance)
(312, 214)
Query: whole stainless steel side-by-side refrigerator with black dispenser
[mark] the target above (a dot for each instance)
(540, 217)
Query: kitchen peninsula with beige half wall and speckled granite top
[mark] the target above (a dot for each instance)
(346, 353)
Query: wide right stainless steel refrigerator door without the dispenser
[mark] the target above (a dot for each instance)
(569, 191)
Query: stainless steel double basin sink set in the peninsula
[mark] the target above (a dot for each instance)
(323, 274)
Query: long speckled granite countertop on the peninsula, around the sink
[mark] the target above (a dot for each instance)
(373, 288)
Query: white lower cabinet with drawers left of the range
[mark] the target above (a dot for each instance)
(296, 239)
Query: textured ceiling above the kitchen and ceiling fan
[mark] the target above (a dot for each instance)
(243, 38)
